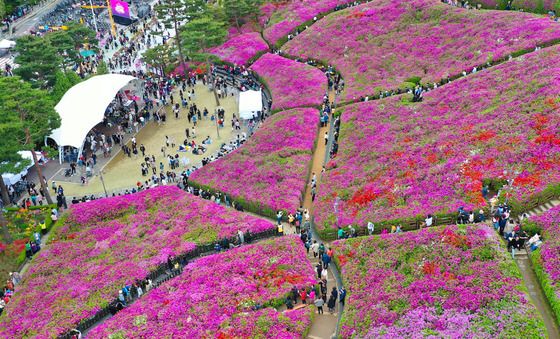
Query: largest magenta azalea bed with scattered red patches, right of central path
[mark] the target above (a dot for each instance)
(399, 159)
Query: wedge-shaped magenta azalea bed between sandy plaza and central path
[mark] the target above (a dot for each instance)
(269, 172)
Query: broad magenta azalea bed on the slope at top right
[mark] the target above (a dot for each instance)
(383, 45)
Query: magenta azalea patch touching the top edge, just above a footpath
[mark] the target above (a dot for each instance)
(284, 17)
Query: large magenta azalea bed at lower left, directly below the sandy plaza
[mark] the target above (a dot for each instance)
(106, 243)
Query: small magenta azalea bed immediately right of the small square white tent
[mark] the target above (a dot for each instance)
(293, 84)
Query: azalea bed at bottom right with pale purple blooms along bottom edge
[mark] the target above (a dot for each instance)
(450, 282)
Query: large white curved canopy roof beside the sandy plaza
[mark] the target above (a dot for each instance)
(84, 105)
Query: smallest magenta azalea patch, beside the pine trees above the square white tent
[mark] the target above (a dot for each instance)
(239, 49)
